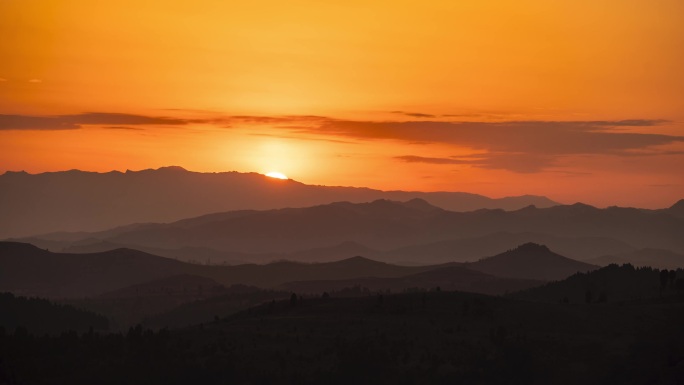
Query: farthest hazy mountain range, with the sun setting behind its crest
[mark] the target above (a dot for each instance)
(78, 200)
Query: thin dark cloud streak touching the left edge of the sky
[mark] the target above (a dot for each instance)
(76, 121)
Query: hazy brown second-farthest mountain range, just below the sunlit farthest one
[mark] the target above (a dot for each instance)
(398, 231)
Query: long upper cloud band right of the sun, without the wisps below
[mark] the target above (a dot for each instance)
(529, 137)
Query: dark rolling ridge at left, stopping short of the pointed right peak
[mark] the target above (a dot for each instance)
(28, 270)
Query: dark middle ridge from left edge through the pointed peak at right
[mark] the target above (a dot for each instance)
(28, 270)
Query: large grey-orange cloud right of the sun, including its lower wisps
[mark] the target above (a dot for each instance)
(523, 146)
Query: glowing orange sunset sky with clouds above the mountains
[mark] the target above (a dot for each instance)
(574, 100)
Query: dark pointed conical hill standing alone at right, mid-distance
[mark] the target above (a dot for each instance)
(530, 261)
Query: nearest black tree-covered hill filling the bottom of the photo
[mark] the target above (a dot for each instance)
(414, 338)
